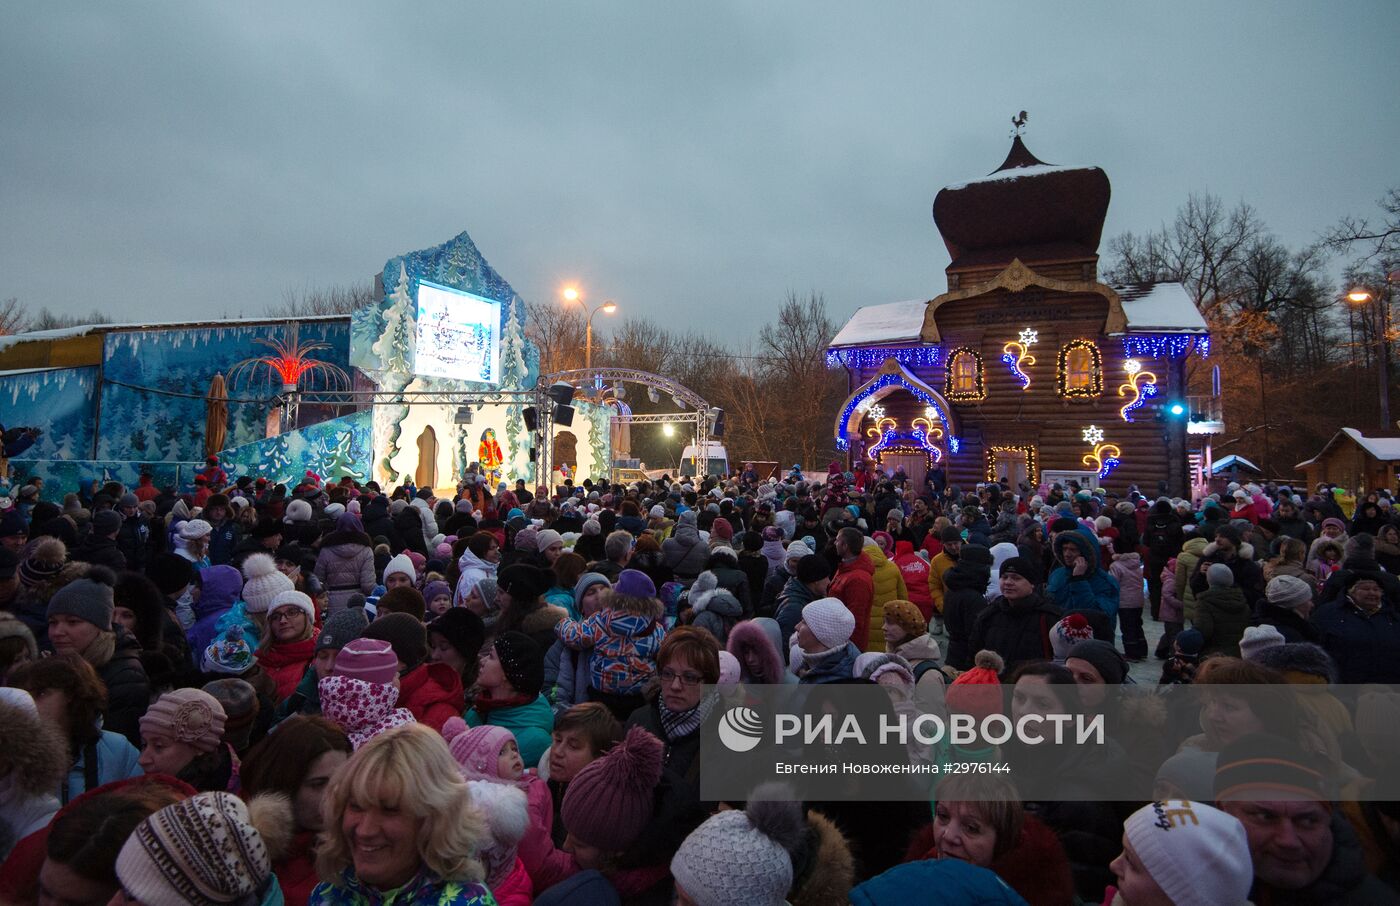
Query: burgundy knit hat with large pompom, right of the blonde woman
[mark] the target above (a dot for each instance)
(611, 800)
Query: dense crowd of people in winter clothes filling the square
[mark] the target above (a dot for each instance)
(253, 694)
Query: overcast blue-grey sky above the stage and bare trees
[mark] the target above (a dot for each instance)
(695, 162)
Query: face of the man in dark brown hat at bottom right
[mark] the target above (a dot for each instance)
(1290, 842)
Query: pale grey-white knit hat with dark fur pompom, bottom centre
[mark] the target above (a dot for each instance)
(743, 858)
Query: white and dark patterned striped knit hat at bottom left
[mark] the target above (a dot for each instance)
(198, 852)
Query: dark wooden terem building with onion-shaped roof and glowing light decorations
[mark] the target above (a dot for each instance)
(1028, 368)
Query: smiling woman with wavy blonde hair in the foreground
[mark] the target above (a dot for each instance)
(398, 817)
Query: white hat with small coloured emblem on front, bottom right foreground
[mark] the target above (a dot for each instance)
(1196, 853)
